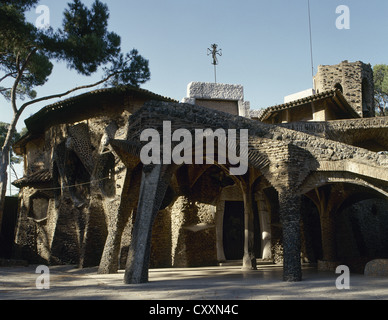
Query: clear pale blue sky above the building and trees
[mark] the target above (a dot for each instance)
(265, 44)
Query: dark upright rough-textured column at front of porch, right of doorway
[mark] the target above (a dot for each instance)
(290, 216)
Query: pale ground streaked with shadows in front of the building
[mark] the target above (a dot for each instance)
(212, 283)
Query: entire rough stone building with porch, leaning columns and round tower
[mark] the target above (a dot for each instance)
(315, 191)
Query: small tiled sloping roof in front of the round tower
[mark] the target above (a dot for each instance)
(335, 95)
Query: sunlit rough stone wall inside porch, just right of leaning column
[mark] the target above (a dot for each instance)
(184, 234)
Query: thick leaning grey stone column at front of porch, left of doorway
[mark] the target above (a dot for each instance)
(155, 181)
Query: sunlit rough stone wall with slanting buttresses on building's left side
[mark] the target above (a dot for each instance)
(78, 219)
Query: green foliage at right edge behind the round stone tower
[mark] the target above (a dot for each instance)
(380, 73)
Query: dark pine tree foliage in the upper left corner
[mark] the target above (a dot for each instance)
(83, 42)
